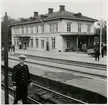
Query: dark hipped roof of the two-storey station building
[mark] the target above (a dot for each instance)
(57, 15)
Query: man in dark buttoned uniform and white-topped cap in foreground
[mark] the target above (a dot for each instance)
(21, 79)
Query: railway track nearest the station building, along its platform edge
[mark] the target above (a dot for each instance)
(67, 62)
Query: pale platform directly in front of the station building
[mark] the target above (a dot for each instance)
(82, 57)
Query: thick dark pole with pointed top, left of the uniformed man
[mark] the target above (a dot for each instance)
(5, 36)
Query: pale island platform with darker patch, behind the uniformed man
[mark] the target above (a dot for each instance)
(92, 84)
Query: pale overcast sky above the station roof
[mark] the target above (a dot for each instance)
(25, 8)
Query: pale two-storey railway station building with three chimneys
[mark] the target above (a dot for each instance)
(54, 31)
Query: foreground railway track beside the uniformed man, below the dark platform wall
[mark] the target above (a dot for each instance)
(43, 95)
